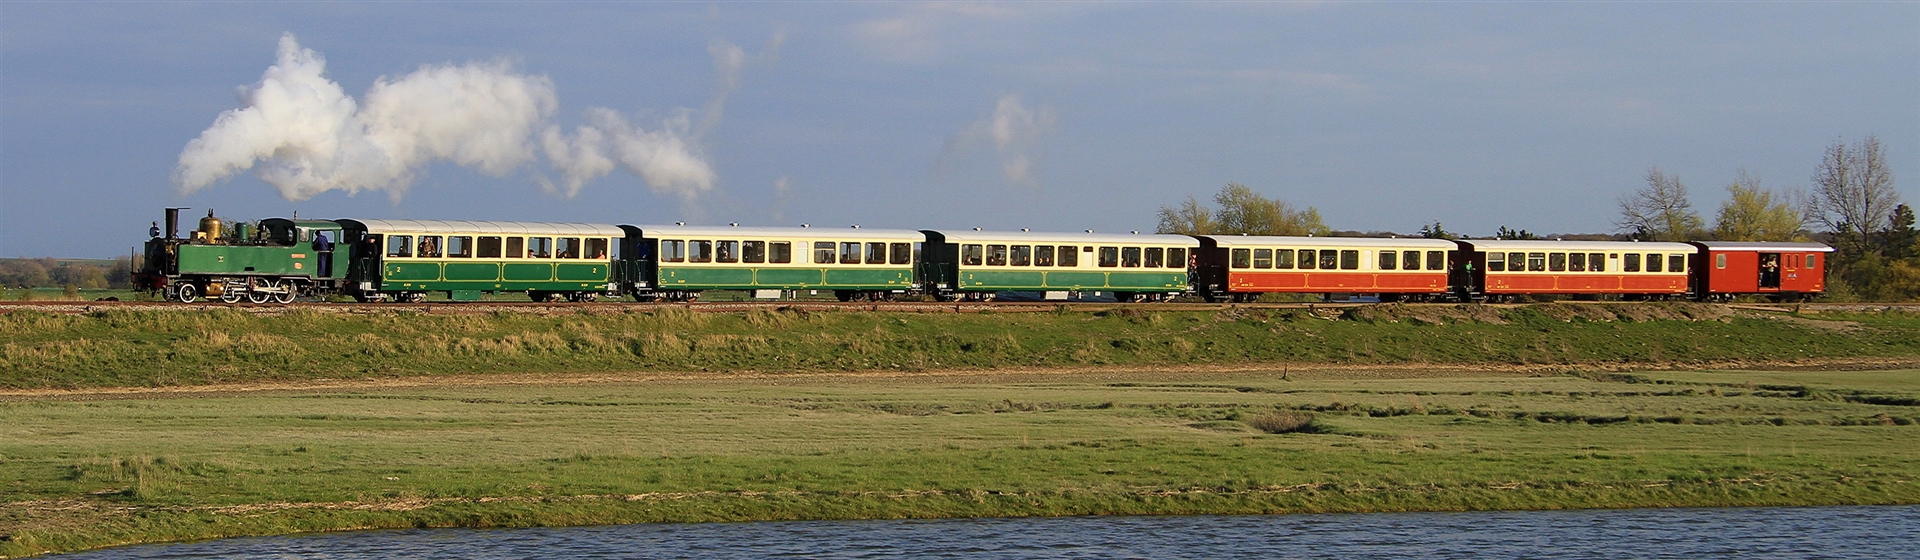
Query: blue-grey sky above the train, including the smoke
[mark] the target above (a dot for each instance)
(1047, 116)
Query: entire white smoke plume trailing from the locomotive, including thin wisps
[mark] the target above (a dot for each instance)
(308, 137)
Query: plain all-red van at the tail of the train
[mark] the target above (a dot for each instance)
(1773, 269)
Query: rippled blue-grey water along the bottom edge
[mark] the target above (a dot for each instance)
(1838, 532)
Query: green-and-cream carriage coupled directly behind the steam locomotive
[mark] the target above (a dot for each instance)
(550, 262)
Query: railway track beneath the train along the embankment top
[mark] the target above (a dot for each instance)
(481, 308)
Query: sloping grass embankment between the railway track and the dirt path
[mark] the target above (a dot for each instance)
(170, 348)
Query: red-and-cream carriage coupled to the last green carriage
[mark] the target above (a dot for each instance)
(1243, 268)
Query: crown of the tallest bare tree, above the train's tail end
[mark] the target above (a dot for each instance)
(1854, 189)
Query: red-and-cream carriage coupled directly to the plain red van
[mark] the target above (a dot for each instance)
(1504, 269)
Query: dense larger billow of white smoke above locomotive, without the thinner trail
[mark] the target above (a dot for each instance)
(310, 137)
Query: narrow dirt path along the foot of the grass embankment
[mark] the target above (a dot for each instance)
(972, 375)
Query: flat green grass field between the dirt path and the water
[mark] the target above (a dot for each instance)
(554, 450)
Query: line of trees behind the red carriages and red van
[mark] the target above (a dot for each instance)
(1852, 206)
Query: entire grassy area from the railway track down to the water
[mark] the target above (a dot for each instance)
(139, 427)
